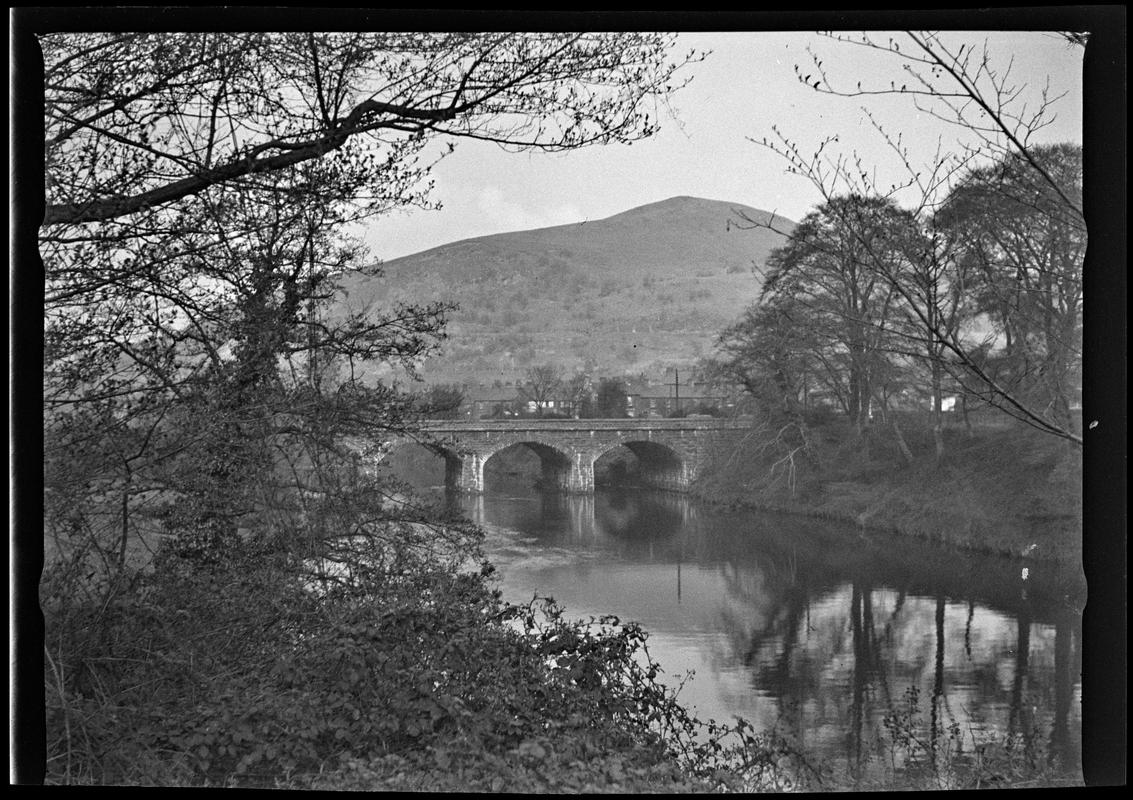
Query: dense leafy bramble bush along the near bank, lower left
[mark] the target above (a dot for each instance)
(246, 671)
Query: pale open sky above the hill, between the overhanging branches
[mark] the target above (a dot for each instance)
(744, 88)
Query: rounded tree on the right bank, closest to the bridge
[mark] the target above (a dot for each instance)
(824, 325)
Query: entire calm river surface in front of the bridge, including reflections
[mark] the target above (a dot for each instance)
(805, 625)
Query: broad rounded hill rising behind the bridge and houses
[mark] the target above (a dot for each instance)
(637, 292)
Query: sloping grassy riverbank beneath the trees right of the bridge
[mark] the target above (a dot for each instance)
(1007, 491)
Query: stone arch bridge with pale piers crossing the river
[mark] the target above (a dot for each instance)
(670, 453)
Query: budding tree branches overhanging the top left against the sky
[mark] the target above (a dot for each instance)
(156, 118)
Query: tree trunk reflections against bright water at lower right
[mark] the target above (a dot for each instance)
(837, 661)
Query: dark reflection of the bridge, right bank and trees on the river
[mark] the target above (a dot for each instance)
(833, 629)
